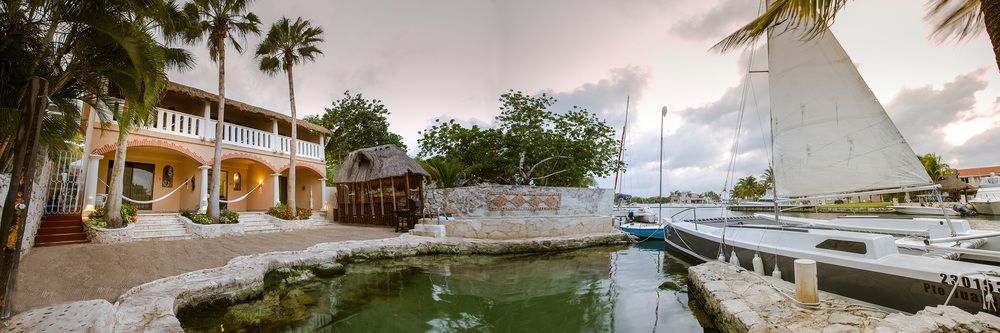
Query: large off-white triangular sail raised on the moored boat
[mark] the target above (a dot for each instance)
(830, 133)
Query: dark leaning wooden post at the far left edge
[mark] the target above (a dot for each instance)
(15, 211)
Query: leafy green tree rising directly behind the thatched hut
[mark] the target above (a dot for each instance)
(354, 123)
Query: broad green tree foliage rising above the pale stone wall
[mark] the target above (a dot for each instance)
(529, 144)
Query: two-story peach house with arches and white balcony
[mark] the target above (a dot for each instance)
(169, 161)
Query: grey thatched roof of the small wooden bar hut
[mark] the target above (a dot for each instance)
(378, 162)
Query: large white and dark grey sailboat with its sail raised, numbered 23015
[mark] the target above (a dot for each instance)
(831, 138)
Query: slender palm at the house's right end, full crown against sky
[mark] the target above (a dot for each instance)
(286, 45)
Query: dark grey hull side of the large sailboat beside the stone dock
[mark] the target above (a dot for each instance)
(885, 289)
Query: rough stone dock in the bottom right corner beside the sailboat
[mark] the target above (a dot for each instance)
(742, 301)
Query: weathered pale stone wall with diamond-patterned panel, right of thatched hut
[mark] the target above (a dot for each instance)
(510, 212)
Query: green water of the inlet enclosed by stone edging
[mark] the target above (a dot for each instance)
(640, 288)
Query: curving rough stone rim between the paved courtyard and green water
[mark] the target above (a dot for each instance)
(151, 307)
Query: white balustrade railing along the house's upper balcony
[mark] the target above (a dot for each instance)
(188, 125)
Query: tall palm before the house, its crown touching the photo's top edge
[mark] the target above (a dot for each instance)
(221, 21)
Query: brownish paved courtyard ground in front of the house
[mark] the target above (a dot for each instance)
(53, 275)
